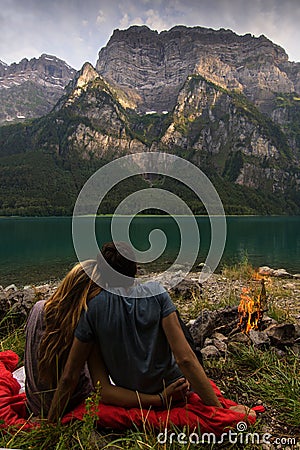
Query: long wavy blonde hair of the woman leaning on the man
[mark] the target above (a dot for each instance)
(61, 315)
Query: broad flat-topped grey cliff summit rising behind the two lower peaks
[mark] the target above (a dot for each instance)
(154, 66)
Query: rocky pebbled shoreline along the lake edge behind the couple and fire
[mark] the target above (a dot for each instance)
(15, 302)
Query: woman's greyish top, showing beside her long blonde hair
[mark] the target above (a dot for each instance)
(39, 396)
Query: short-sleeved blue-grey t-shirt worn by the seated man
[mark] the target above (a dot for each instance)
(131, 338)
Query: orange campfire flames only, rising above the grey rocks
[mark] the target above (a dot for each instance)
(252, 306)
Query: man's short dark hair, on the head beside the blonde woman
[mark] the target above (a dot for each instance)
(122, 261)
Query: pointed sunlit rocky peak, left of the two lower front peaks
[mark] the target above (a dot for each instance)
(104, 130)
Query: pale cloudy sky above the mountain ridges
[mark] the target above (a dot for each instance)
(75, 30)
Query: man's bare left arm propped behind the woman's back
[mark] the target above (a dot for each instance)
(68, 381)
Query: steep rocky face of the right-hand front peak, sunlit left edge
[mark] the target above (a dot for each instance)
(221, 130)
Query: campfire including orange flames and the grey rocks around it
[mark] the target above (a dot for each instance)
(217, 331)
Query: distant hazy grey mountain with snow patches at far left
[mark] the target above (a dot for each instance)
(32, 87)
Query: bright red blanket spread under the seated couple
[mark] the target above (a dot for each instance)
(194, 414)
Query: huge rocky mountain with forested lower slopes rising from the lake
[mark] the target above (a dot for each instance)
(228, 103)
